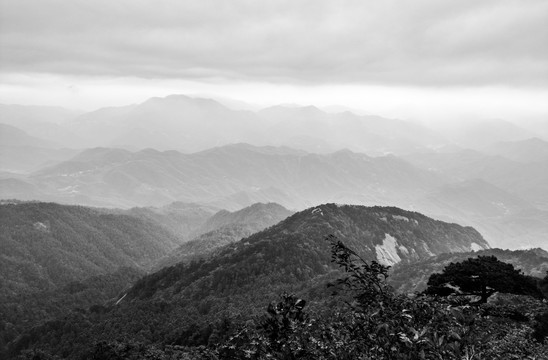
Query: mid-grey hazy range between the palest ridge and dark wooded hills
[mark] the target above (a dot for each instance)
(501, 197)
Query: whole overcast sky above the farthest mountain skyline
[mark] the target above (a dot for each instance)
(430, 59)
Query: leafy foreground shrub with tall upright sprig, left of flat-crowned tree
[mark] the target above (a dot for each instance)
(398, 327)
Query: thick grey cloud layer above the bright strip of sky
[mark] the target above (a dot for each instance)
(302, 42)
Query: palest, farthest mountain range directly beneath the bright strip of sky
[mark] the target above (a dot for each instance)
(191, 124)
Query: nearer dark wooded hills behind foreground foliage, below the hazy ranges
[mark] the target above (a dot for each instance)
(79, 274)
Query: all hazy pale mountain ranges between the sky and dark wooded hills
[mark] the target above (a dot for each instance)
(489, 174)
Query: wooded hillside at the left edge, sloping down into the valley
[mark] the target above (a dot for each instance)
(46, 245)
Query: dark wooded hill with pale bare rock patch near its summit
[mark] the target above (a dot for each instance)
(200, 302)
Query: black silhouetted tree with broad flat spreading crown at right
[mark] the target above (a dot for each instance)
(481, 276)
